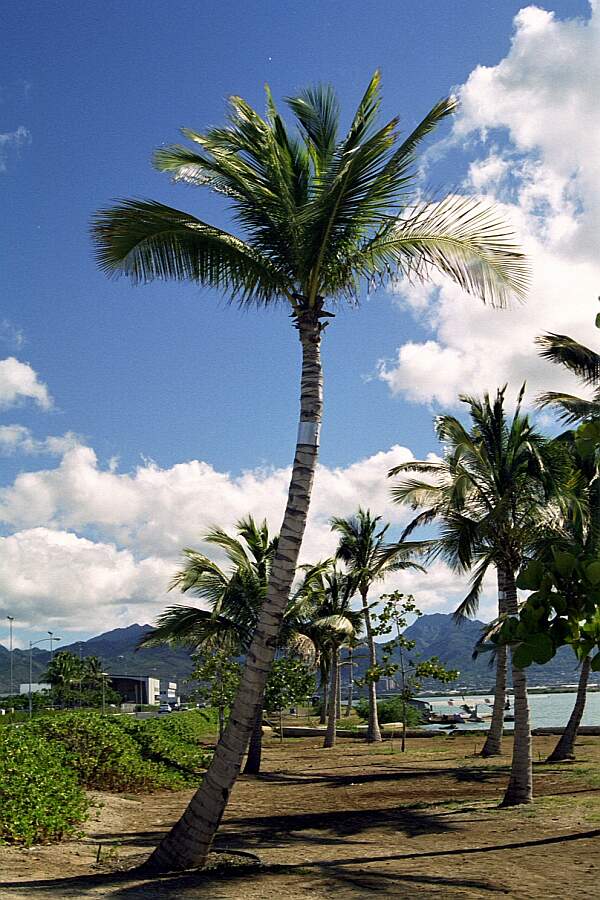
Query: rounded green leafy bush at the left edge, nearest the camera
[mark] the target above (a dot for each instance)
(40, 798)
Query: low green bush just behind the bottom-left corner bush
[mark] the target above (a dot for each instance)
(104, 756)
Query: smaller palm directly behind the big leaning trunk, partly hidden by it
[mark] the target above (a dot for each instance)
(234, 597)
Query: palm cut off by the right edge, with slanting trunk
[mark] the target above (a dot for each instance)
(585, 364)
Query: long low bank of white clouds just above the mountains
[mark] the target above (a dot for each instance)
(93, 548)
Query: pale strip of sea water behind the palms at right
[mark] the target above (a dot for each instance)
(547, 710)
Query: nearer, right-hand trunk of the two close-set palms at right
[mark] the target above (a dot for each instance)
(520, 785)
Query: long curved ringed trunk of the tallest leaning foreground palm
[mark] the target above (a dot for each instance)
(188, 843)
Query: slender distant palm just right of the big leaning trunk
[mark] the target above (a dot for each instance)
(363, 548)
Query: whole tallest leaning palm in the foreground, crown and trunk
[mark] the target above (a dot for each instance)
(319, 216)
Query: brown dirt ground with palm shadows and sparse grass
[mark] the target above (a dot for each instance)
(351, 822)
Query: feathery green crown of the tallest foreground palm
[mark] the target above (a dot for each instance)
(318, 212)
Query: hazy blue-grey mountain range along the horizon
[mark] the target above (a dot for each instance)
(435, 635)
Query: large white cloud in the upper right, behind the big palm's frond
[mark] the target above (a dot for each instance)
(536, 119)
